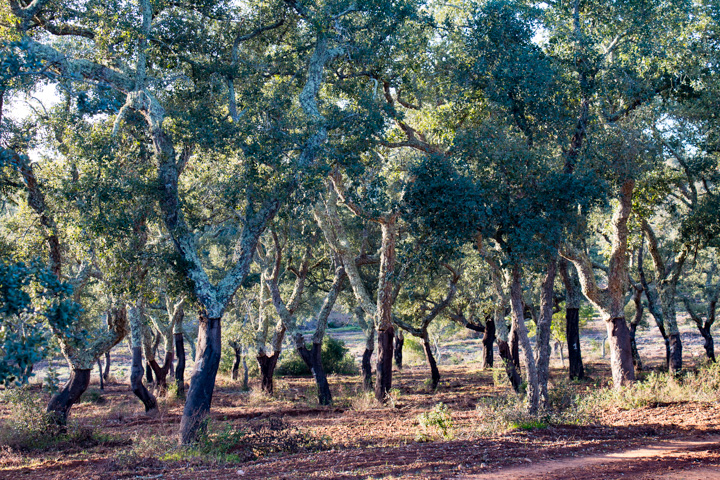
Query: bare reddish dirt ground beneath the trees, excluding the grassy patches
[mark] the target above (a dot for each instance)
(676, 440)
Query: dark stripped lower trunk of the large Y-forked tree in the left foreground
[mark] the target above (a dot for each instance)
(202, 381)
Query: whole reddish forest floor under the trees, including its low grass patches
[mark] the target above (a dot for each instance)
(290, 437)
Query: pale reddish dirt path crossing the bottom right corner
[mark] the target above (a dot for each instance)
(687, 459)
